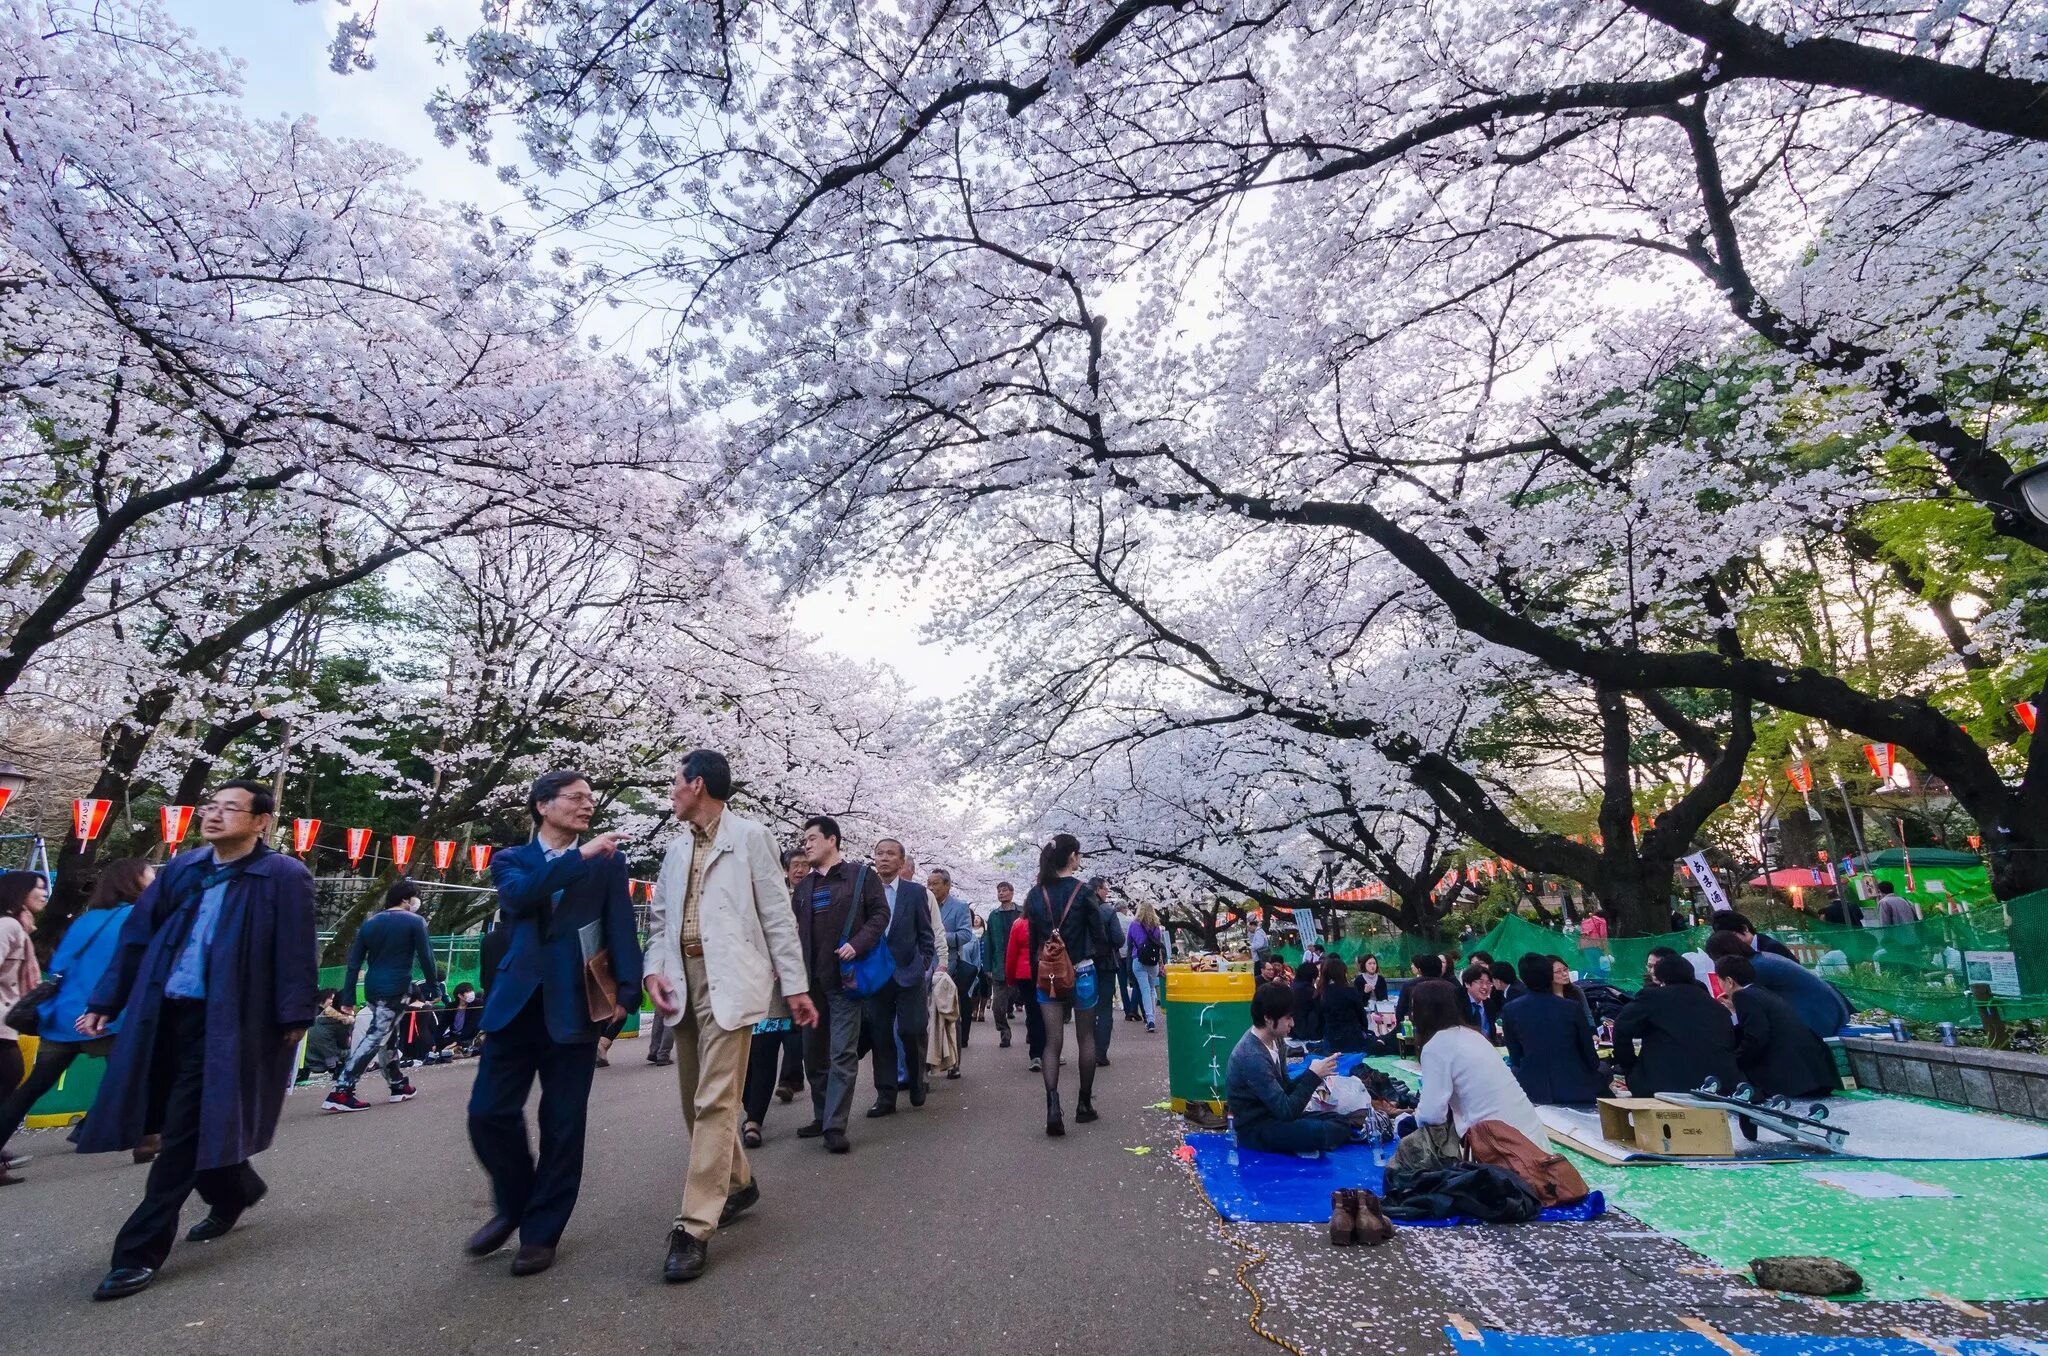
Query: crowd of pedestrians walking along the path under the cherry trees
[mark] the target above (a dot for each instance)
(771, 974)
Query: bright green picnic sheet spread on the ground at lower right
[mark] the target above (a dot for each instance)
(1986, 1242)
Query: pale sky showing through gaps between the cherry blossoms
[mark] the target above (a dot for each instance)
(286, 73)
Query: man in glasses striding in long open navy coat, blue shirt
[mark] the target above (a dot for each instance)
(216, 980)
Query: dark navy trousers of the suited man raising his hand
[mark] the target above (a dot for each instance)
(536, 1195)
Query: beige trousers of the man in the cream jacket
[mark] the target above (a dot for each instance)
(712, 1068)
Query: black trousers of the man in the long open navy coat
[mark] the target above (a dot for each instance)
(177, 1089)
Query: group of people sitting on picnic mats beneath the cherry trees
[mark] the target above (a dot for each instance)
(1766, 1029)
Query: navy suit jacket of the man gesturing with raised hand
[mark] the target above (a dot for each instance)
(544, 904)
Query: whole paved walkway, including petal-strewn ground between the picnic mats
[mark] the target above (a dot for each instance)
(955, 1230)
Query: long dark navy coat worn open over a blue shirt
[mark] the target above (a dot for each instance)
(263, 972)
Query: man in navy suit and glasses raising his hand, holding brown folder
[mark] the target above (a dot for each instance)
(538, 1017)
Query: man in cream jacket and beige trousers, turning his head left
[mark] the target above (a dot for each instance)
(722, 956)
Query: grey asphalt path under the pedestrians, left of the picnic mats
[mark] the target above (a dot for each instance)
(955, 1228)
